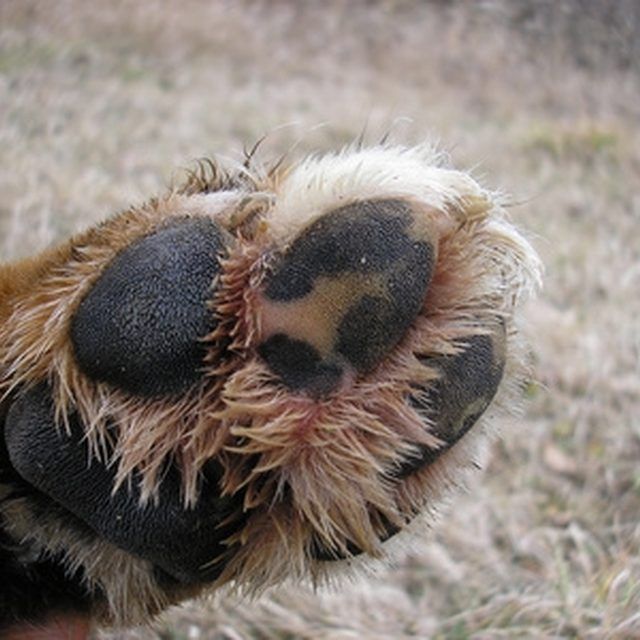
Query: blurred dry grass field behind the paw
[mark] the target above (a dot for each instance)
(100, 102)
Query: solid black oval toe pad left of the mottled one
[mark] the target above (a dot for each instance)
(139, 328)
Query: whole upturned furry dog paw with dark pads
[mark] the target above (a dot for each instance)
(233, 366)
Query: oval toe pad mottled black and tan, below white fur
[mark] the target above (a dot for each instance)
(344, 293)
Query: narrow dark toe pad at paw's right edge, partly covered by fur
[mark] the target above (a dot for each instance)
(454, 402)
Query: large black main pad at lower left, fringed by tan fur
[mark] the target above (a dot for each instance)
(179, 541)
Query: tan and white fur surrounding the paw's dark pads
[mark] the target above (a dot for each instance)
(324, 470)
